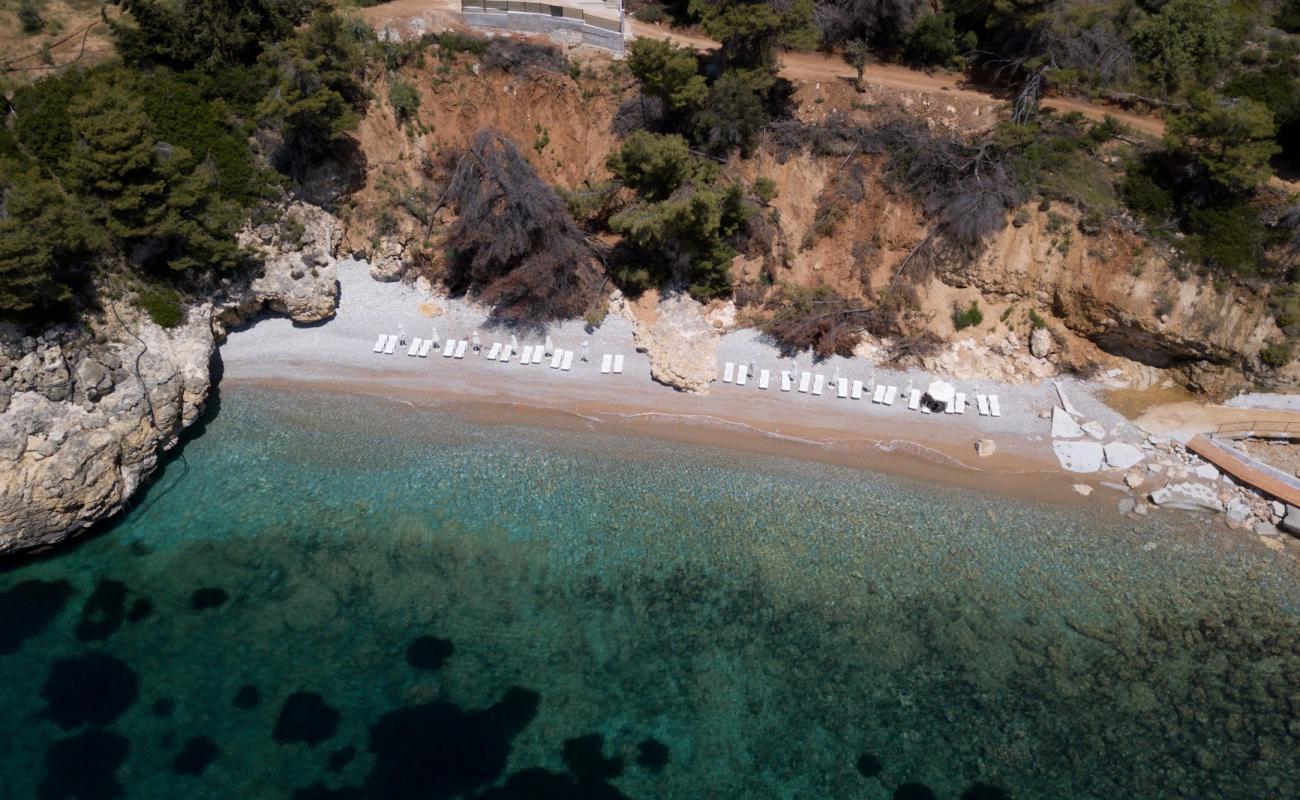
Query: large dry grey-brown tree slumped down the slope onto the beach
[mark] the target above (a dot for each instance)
(514, 244)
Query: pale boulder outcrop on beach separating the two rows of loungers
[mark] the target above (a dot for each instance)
(681, 341)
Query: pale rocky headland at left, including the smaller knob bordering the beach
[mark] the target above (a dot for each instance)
(85, 413)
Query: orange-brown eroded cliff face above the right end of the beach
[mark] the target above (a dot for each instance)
(1124, 296)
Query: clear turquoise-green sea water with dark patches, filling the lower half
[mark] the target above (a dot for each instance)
(328, 599)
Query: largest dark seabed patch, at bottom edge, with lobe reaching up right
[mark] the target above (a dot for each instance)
(439, 750)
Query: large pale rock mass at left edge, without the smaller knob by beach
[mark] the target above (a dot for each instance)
(89, 414)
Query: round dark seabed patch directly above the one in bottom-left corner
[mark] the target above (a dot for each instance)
(94, 689)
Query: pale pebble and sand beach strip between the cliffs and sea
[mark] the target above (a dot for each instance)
(339, 357)
